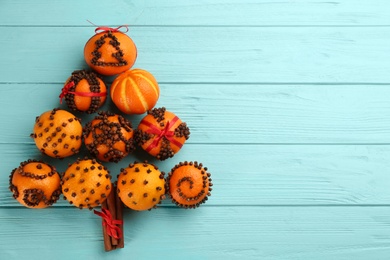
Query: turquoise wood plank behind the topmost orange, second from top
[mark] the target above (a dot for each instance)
(211, 54)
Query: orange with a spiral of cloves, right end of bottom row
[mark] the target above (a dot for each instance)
(189, 184)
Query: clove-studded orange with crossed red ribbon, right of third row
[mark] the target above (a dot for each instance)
(161, 133)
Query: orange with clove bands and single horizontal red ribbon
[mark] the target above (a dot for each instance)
(84, 91)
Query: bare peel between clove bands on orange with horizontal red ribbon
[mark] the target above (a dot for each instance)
(84, 103)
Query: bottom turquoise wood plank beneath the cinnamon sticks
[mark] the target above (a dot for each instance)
(204, 233)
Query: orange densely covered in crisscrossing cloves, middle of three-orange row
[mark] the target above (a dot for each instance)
(109, 137)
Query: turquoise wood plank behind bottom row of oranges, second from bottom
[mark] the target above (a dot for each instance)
(256, 174)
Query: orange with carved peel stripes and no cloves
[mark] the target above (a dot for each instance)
(135, 91)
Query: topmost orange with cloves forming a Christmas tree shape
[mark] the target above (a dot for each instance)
(101, 59)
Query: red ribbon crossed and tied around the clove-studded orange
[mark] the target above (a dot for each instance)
(160, 133)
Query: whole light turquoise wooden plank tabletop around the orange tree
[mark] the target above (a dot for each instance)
(289, 108)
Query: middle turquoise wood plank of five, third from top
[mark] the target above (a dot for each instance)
(235, 113)
